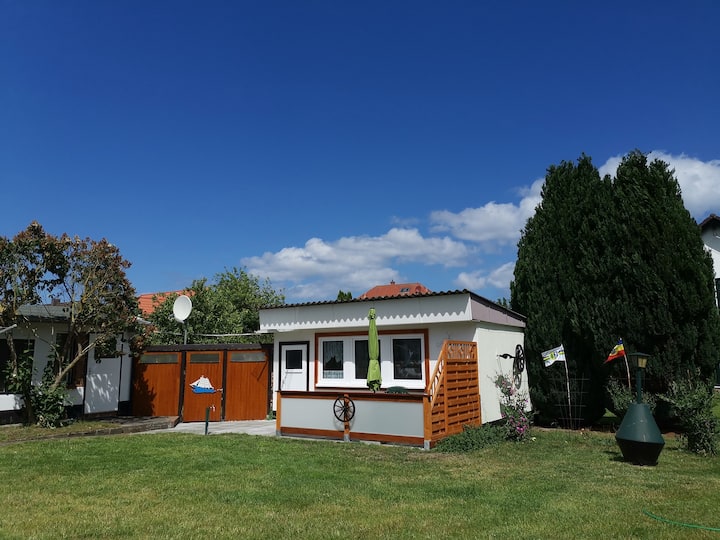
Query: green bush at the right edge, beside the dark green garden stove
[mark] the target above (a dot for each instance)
(692, 402)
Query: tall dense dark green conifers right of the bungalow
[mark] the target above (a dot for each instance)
(608, 258)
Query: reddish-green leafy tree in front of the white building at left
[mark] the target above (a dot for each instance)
(88, 278)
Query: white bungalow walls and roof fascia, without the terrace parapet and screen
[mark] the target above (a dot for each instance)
(424, 322)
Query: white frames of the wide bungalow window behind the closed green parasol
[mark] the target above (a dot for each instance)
(386, 362)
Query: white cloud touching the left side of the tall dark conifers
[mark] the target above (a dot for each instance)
(493, 223)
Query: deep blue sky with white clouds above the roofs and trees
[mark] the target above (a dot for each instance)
(331, 145)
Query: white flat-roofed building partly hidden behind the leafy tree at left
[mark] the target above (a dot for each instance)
(95, 386)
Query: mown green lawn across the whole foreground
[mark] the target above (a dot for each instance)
(561, 485)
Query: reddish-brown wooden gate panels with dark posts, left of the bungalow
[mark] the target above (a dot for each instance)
(240, 372)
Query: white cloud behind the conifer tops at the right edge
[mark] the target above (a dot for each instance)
(699, 180)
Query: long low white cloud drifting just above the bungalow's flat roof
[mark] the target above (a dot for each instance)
(320, 269)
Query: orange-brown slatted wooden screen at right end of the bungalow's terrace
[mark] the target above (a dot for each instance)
(453, 391)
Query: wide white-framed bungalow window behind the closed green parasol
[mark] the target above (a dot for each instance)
(344, 360)
